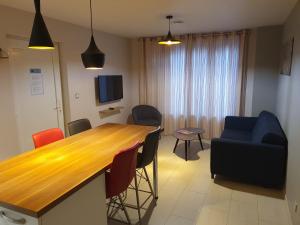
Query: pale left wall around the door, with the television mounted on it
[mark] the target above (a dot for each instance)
(73, 40)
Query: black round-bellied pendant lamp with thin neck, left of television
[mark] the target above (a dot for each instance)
(93, 58)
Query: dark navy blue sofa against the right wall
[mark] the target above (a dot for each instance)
(251, 149)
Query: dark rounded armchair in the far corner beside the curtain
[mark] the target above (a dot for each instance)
(146, 115)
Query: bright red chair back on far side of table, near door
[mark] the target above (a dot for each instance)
(47, 136)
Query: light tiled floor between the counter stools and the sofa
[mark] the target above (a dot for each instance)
(188, 196)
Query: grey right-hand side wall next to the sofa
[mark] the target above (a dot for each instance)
(288, 109)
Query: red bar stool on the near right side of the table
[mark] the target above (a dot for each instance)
(118, 178)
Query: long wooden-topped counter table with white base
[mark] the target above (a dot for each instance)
(42, 182)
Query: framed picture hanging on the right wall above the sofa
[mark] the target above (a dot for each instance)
(287, 57)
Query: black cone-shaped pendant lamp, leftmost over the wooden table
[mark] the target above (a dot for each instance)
(40, 37)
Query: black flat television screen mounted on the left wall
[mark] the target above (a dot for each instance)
(110, 88)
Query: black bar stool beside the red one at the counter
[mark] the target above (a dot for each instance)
(145, 158)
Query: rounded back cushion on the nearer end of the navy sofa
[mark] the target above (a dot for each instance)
(268, 130)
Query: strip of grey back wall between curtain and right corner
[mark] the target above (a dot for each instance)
(263, 67)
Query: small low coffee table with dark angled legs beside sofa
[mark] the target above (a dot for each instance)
(187, 135)
